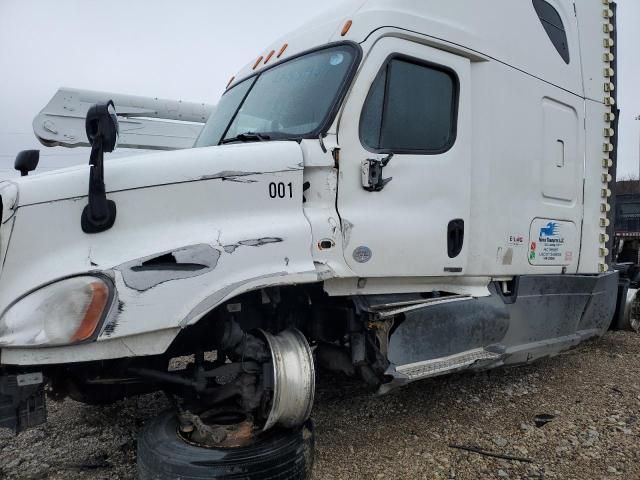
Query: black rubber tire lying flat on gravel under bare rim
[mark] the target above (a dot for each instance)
(277, 454)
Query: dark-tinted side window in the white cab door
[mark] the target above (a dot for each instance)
(411, 108)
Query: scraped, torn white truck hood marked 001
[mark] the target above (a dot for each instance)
(196, 225)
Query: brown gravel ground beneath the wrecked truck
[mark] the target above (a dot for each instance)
(592, 392)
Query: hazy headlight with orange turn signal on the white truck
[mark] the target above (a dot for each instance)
(62, 313)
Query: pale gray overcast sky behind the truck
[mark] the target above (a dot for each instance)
(184, 50)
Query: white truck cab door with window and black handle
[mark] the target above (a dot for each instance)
(410, 106)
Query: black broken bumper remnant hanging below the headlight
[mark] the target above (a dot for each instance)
(22, 401)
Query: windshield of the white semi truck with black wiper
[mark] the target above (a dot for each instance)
(292, 100)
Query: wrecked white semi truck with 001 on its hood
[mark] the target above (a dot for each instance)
(398, 190)
